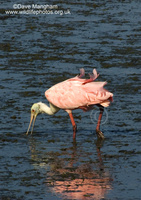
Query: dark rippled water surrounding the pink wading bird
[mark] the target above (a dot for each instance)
(38, 51)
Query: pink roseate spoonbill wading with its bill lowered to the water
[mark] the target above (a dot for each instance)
(72, 94)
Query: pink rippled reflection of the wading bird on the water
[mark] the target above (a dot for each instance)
(72, 175)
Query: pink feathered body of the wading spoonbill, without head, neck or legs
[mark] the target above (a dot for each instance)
(79, 93)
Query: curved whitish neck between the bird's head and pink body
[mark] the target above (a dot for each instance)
(48, 110)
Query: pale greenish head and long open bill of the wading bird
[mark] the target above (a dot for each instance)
(35, 110)
